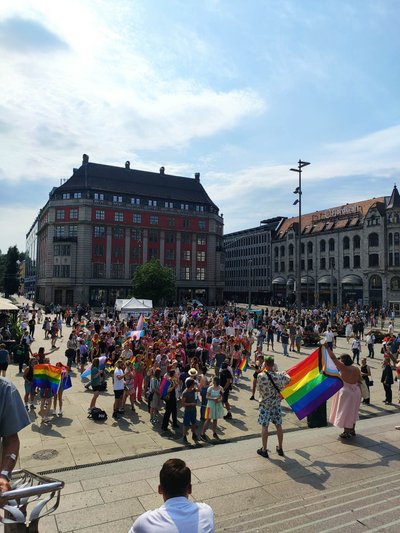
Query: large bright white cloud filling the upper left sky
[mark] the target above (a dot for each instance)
(102, 96)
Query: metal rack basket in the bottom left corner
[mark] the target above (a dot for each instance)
(31, 497)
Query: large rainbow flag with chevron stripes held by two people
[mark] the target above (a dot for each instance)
(313, 381)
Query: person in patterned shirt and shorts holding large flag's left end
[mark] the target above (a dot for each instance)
(270, 383)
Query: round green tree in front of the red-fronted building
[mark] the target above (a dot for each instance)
(154, 282)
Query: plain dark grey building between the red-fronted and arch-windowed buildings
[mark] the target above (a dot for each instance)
(248, 262)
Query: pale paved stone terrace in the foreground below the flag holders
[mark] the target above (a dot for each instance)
(322, 484)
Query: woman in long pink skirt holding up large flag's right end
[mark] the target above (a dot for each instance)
(346, 402)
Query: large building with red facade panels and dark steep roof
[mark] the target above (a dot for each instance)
(105, 221)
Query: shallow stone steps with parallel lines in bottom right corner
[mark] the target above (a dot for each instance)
(317, 511)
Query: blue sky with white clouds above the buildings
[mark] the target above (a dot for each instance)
(238, 90)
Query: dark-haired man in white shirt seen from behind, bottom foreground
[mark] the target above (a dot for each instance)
(178, 514)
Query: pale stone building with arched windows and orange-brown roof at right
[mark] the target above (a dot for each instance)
(349, 254)
